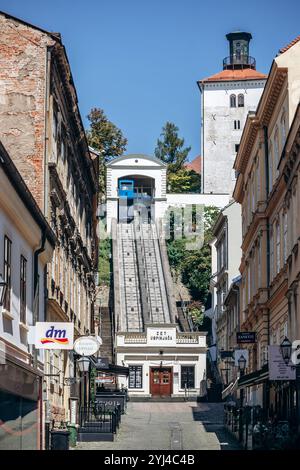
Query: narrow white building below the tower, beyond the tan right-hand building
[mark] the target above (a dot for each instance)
(226, 251)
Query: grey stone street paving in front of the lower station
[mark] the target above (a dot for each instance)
(169, 426)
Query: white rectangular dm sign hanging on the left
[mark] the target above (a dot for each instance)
(54, 335)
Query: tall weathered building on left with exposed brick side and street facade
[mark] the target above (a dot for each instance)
(43, 132)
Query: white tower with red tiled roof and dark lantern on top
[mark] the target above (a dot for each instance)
(227, 97)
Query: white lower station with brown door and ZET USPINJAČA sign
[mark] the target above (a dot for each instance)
(163, 362)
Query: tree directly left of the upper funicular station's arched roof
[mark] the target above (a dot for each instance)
(105, 137)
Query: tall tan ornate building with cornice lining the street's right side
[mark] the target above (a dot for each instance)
(268, 195)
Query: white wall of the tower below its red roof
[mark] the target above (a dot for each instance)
(218, 134)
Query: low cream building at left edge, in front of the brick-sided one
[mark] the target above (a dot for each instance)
(26, 246)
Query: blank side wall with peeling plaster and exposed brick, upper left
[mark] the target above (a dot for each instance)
(23, 52)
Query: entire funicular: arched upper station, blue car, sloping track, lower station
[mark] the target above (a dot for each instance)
(165, 357)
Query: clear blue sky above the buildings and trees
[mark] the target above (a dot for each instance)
(140, 60)
